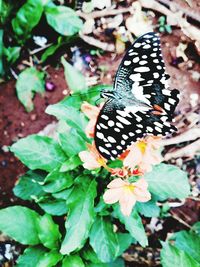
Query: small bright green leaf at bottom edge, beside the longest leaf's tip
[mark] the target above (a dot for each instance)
(50, 259)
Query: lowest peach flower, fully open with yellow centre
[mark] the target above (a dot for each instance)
(127, 194)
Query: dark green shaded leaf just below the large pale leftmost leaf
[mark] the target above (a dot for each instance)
(28, 186)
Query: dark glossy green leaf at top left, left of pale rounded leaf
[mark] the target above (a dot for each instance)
(28, 16)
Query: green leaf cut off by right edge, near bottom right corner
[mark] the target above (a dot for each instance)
(188, 242)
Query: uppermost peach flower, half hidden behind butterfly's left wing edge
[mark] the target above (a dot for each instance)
(92, 113)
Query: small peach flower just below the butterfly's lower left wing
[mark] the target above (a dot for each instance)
(92, 159)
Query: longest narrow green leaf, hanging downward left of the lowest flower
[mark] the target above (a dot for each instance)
(81, 214)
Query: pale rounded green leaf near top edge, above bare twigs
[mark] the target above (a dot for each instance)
(63, 19)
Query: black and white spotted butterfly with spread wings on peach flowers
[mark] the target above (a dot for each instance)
(141, 102)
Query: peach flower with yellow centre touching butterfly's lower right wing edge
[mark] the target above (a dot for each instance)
(144, 154)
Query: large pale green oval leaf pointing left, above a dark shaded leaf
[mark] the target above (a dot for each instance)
(39, 152)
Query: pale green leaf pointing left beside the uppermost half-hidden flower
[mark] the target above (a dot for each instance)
(71, 115)
